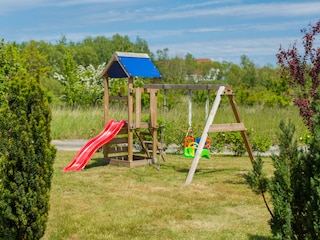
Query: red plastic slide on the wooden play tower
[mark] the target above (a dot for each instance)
(84, 155)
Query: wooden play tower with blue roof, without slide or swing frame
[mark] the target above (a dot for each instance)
(120, 151)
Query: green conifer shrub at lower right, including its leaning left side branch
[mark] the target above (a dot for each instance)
(281, 185)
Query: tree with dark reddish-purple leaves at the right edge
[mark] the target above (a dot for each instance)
(302, 72)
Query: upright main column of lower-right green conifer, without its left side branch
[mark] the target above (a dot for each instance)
(282, 189)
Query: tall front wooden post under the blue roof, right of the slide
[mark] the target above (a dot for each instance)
(130, 119)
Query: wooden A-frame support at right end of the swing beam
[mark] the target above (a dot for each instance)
(230, 127)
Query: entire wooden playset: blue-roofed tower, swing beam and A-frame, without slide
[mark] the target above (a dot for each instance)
(120, 151)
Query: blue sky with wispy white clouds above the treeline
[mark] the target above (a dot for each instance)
(222, 30)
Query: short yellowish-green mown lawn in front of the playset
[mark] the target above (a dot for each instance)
(110, 202)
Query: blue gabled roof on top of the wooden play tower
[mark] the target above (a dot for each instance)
(125, 64)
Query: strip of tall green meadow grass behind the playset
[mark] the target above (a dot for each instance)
(262, 121)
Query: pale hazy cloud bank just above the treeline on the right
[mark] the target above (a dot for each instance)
(260, 50)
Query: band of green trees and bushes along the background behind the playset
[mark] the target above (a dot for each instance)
(45, 61)
